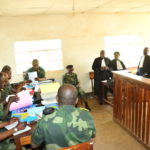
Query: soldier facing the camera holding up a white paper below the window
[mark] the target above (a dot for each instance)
(36, 68)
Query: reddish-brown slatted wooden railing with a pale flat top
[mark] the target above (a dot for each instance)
(132, 105)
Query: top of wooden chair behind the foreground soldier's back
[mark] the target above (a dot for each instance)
(82, 146)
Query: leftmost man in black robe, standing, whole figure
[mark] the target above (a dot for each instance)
(101, 67)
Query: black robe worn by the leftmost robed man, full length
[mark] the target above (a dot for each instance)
(99, 74)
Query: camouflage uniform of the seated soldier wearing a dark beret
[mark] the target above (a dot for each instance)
(73, 79)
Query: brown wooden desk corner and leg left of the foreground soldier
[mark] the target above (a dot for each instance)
(24, 138)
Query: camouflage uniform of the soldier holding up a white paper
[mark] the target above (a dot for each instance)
(40, 72)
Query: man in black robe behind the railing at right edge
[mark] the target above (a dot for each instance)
(144, 64)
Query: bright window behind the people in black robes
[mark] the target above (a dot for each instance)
(129, 47)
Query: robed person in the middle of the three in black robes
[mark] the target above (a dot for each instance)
(117, 64)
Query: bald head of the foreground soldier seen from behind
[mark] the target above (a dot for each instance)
(67, 95)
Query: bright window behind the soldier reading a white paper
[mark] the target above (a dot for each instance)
(48, 52)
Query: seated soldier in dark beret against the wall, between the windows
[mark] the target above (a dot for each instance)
(71, 78)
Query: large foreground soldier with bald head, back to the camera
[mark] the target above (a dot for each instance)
(66, 126)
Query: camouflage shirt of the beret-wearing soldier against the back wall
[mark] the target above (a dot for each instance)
(70, 79)
